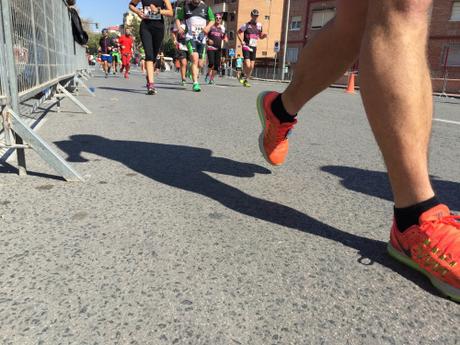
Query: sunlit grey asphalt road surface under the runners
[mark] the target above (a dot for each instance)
(182, 234)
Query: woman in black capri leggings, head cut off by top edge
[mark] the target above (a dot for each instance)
(152, 31)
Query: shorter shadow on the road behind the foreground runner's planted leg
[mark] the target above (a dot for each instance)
(375, 183)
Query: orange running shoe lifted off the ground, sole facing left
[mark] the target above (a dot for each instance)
(273, 141)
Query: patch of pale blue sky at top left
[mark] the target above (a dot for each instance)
(104, 12)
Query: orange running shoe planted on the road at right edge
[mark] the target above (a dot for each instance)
(433, 248)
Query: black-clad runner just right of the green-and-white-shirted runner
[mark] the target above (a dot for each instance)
(216, 38)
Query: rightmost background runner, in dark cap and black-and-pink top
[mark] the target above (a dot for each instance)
(251, 32)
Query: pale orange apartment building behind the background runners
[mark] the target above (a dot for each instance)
(237, 12)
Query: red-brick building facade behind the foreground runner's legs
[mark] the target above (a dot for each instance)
(308, 16)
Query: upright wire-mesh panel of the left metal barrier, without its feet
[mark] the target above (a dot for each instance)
(43, 45)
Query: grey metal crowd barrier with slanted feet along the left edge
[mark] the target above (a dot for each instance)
(38, 60)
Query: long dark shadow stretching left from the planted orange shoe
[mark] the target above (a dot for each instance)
(185, 168)
